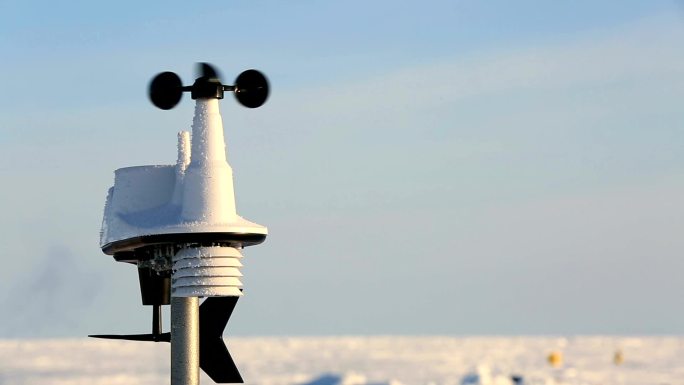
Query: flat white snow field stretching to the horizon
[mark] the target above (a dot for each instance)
(359, 360)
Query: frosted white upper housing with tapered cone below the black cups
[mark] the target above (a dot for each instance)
(194, 196)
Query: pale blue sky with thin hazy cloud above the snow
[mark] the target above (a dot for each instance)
(432, 167)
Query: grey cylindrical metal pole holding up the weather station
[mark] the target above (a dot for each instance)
(184, 341)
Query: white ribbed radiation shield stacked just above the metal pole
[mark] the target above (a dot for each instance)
(206, 272)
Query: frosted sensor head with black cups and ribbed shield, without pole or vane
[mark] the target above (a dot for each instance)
(186, 210)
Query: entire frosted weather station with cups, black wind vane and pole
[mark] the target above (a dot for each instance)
(179, 225)
